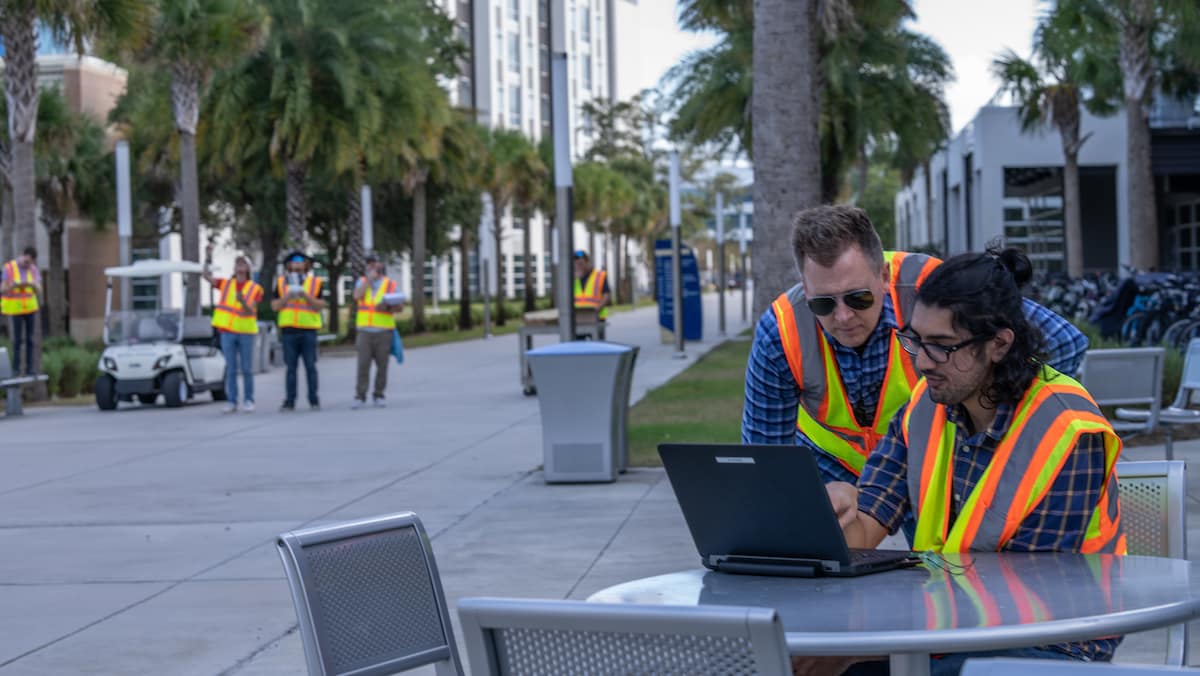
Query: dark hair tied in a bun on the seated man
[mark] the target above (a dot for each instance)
(983, 294)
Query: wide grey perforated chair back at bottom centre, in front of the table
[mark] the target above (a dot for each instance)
(512, 637)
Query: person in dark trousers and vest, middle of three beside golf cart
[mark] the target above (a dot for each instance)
(298, 306)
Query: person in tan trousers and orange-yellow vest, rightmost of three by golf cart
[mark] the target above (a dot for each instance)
(375, 325)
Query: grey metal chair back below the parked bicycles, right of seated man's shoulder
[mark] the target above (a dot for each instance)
(1125, 376)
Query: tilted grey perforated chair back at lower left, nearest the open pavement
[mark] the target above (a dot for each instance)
(369, 599)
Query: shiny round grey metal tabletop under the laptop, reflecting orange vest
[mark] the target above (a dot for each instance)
(968, 591)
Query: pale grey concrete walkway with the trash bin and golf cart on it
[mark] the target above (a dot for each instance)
(142, 542)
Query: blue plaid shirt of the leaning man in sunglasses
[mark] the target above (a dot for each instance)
(772, 396)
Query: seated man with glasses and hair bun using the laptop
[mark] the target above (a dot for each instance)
(994, 451)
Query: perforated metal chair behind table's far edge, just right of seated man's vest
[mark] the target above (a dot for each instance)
(1154, 515)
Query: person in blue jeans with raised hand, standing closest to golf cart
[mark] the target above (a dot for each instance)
(236, 319)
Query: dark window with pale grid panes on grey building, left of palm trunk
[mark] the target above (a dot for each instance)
(1034, 216)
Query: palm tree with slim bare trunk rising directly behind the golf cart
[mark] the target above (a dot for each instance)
(193, 39)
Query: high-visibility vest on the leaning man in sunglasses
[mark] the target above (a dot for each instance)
(826, 415)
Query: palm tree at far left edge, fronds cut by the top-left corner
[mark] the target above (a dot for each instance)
(69, 21)
